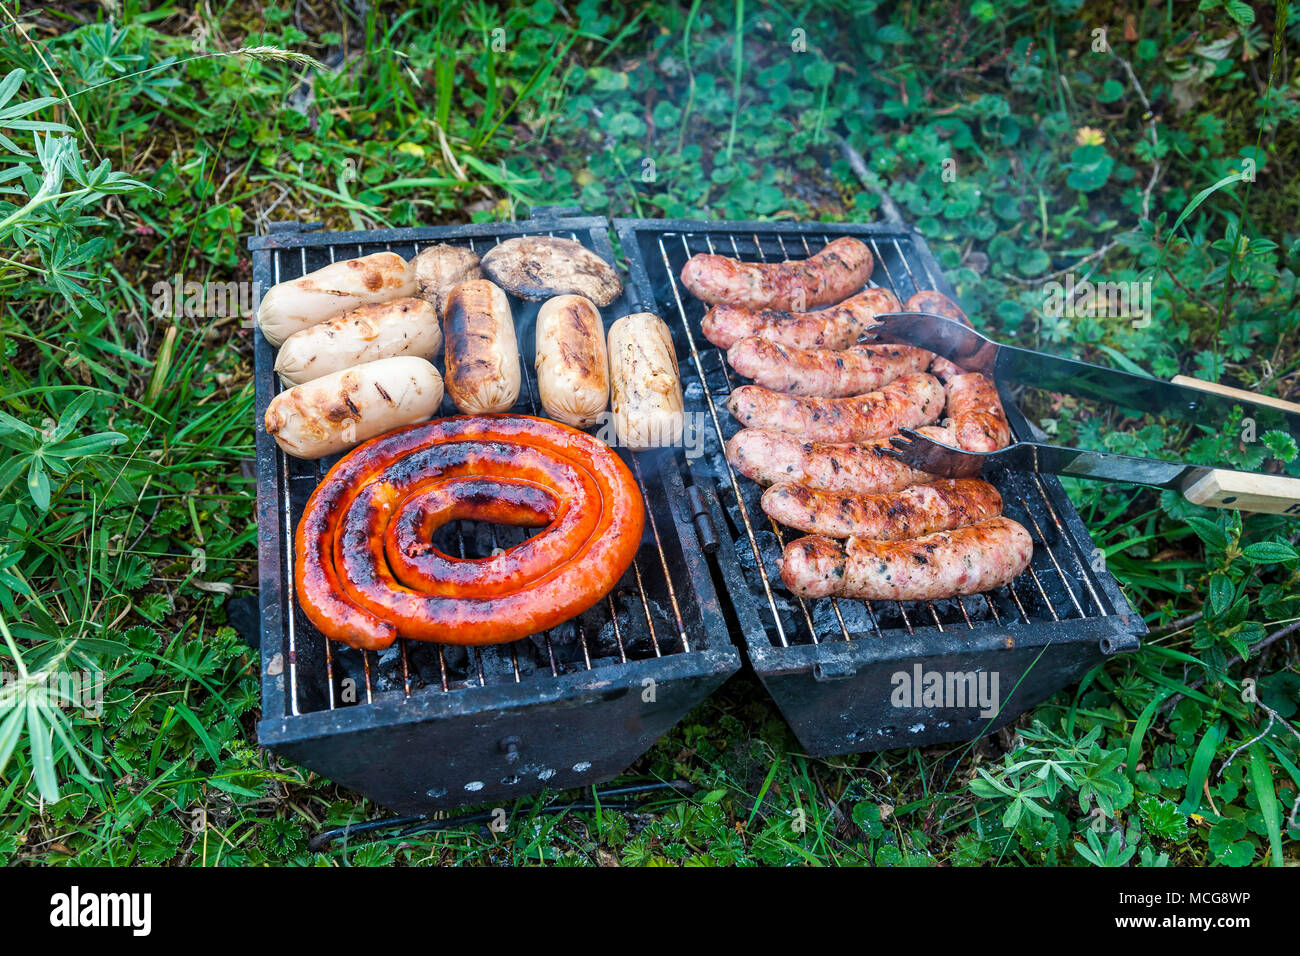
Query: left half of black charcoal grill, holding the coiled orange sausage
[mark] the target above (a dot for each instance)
(421, 728)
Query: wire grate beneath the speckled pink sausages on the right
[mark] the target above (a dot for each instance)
(1059, 586)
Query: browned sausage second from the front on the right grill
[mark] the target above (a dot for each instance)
(943, 505)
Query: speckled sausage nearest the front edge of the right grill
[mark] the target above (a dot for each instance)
(967, 561)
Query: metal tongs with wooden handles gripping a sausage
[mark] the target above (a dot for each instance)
(1201, 403)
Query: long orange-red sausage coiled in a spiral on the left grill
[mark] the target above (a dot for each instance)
(366, 573)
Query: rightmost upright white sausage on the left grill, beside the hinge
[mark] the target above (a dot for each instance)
(645, 383)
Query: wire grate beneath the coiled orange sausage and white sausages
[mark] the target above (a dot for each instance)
(647, 616)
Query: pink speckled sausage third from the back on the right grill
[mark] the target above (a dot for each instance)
(826, 373)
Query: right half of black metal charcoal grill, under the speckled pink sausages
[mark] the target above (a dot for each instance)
(831, 664)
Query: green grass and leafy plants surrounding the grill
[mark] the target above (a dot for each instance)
(153, 146)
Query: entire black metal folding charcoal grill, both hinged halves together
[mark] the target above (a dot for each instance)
(421, 726)
